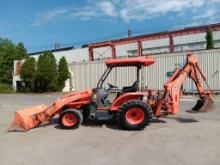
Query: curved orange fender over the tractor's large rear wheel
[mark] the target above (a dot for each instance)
(125, 97)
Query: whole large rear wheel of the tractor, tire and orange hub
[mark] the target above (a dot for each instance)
(134, 115)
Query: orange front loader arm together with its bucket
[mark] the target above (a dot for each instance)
(34, 116)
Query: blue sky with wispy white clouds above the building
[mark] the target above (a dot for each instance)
(39, 24)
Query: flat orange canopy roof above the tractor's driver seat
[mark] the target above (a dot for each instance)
(132, 61)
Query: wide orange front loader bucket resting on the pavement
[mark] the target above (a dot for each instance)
(27, 118)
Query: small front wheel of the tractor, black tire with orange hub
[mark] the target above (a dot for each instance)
(73, 113)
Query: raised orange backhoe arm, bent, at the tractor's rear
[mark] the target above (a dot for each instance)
(173, 87)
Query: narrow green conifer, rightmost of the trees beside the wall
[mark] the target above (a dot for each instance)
(63, 73)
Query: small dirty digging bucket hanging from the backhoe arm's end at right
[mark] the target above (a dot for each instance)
(203, 105)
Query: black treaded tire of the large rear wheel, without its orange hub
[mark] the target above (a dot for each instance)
(141, 106)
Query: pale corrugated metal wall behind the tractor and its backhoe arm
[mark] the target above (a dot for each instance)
(86, 75)
